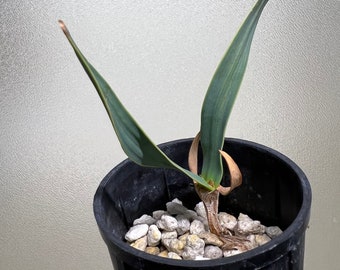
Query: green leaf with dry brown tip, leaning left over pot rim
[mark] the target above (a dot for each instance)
(135, 143)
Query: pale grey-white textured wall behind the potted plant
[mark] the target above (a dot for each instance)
(56, 142)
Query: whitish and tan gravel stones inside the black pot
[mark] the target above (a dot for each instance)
(180, 233)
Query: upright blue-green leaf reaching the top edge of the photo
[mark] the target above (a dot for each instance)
(222, 93)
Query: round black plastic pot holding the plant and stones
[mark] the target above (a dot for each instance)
(274, 191)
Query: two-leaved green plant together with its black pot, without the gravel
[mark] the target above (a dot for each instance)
(273, 188)
